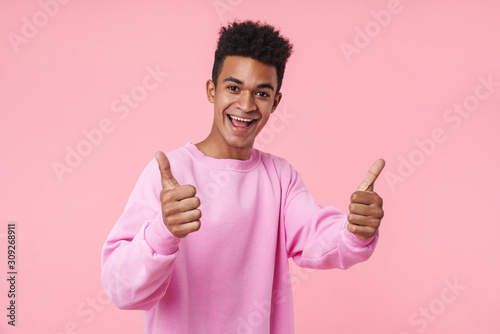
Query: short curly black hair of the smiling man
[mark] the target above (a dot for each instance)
(253, 39)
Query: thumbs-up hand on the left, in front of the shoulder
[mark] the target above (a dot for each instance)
(178, 203)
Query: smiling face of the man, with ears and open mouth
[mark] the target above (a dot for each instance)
(244, 99)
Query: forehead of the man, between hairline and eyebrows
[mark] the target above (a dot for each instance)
(248, 70)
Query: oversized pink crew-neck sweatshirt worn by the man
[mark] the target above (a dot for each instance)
(232, 275)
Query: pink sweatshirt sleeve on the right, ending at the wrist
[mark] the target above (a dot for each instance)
(317, 235)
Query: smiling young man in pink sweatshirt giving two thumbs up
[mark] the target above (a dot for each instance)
(204, 241)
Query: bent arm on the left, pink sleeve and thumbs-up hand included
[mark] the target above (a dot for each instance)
(139, 254)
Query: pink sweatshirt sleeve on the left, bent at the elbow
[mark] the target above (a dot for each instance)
(139, 253)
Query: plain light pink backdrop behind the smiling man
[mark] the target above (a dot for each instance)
(442, 213)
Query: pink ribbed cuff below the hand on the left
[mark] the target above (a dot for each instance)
(159, 237)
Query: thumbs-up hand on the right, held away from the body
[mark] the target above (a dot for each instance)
(366, 205)
